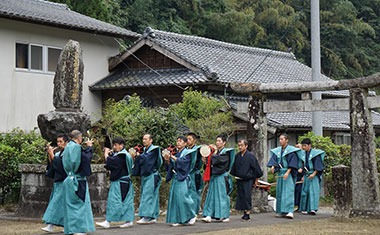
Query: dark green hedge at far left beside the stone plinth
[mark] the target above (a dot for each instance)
(17, 147)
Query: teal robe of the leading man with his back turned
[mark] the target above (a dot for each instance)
(78, 216)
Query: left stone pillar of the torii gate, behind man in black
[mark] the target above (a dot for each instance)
(257, 138)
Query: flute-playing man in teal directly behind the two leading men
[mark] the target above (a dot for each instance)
(120, 202)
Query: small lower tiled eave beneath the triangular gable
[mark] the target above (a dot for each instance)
(147, 77)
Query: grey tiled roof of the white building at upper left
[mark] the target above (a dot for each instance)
(58, 15)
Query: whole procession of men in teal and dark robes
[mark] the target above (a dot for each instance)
(191, 174)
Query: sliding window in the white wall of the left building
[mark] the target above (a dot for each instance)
(34, 57)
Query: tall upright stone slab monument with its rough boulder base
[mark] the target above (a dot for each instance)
(67, 97)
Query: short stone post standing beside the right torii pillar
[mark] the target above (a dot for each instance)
(341, 175)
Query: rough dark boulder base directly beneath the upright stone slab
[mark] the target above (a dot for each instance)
(55, 122)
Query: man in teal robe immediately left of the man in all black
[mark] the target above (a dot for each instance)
(217, 204)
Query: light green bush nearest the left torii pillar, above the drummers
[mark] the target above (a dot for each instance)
(202, 115)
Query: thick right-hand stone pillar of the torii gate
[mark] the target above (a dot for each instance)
(365, 183)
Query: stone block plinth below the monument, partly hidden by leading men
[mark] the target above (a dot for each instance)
(36, 188)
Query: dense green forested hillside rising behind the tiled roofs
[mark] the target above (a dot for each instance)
(350, 30)
